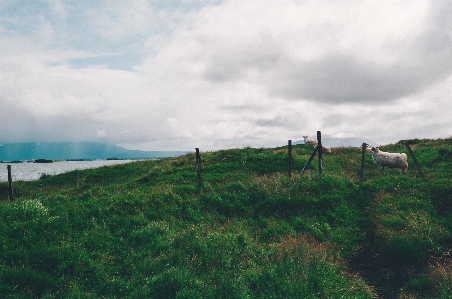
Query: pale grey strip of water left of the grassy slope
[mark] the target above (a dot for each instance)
(33, 171)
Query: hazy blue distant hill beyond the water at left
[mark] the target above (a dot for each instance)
(76, 150)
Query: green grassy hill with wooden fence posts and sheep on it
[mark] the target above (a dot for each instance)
(146, 230)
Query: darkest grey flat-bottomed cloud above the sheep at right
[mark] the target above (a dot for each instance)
(341, 78)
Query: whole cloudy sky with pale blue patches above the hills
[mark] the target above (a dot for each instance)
(218, 74)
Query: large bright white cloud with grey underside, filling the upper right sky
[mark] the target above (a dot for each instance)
(293, 49)
